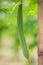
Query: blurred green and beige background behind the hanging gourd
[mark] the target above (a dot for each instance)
(10, 47)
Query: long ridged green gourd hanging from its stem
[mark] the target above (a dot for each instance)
(21, 34)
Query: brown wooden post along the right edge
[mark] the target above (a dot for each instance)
(40, 32)
